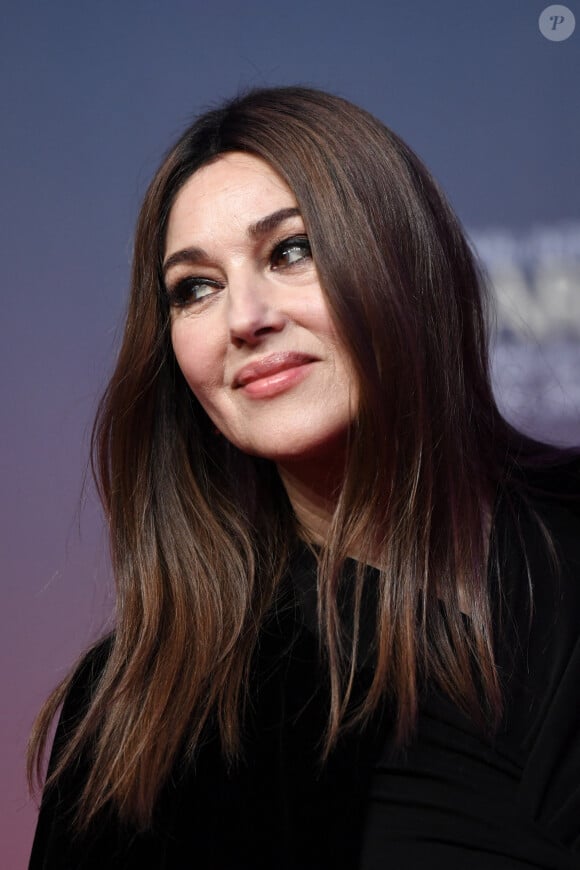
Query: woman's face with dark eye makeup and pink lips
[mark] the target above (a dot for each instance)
(250, 328)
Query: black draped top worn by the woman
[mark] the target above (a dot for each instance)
(454, 799)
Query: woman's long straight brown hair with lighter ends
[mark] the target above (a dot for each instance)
(200, 533)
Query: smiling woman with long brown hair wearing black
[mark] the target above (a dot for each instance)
(347, 588)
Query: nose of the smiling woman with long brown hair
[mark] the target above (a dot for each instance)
(252, 309)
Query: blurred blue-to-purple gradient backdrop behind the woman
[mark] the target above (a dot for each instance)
(91, 96)
